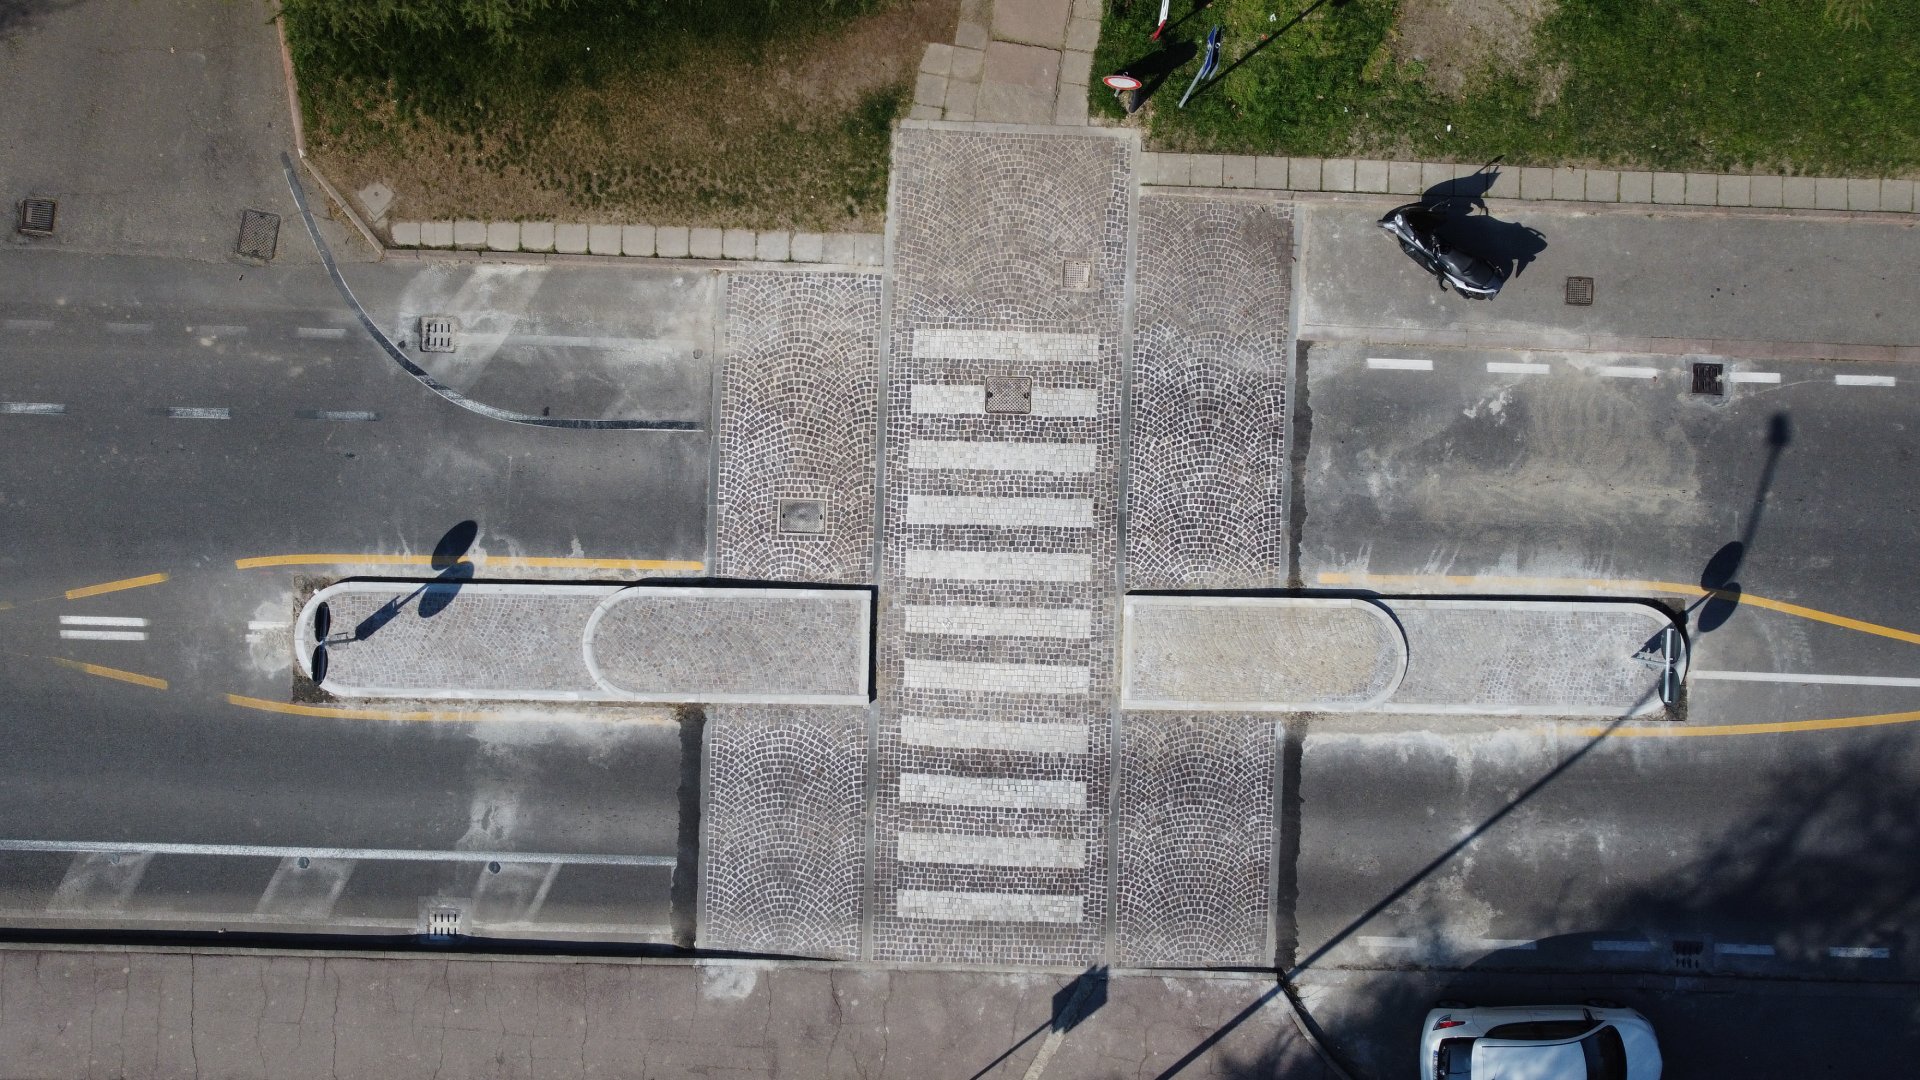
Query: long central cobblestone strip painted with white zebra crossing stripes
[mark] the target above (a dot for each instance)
(997, 637)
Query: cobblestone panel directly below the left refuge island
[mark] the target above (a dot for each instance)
(782, 858)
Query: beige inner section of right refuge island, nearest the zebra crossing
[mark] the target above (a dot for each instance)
(1259, 654)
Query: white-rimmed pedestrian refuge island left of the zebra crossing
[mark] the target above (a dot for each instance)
(583, 643)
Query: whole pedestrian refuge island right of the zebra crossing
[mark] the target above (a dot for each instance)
(1253, 654)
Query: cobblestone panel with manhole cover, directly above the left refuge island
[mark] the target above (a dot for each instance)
(800, 412)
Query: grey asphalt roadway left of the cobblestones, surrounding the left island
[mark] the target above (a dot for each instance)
(297, 439)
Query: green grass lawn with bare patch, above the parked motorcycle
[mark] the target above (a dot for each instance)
(1819, 87)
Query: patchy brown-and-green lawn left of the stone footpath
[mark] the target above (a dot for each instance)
(727, 112)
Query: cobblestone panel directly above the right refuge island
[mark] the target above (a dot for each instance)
(1205, 503)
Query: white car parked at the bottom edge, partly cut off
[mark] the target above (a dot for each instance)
(1539, 1043)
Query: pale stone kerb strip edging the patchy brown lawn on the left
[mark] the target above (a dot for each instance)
(771, 247)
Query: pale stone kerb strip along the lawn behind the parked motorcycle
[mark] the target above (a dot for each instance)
(1531, 184)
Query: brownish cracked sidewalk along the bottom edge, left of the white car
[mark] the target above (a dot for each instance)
(158, 1014)
